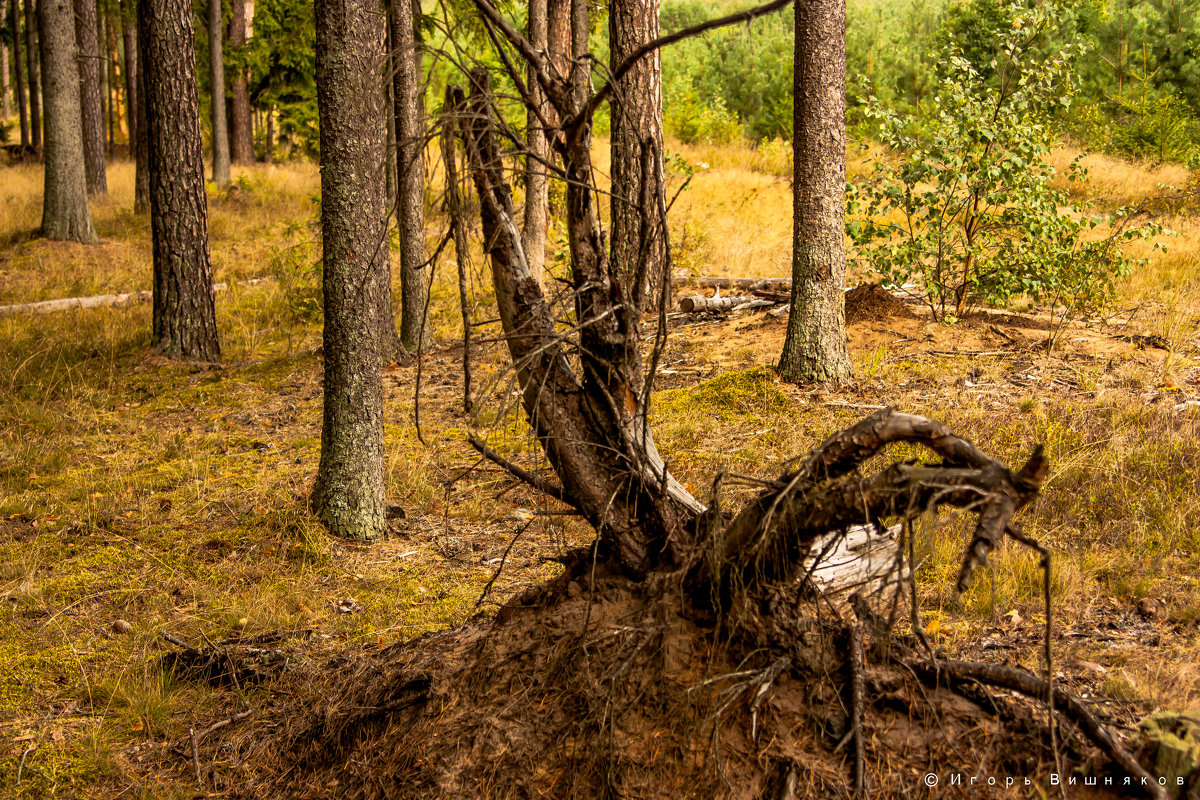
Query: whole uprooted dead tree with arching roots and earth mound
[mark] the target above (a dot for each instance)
(682, 654)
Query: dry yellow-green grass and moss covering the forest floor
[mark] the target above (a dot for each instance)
(141, 497)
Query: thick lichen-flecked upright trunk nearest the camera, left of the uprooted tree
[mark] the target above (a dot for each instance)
(350, 494)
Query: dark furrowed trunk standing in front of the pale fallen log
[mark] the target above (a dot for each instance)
(184, 311)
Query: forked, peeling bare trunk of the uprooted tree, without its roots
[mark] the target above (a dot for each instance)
(592, 426)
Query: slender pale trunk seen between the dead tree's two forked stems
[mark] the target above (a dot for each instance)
(533, 233)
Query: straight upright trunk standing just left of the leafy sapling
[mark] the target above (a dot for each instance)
(815, 348)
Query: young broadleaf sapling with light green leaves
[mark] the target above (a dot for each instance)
(967, 213)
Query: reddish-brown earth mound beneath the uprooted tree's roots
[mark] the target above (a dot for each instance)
(622, 691)
